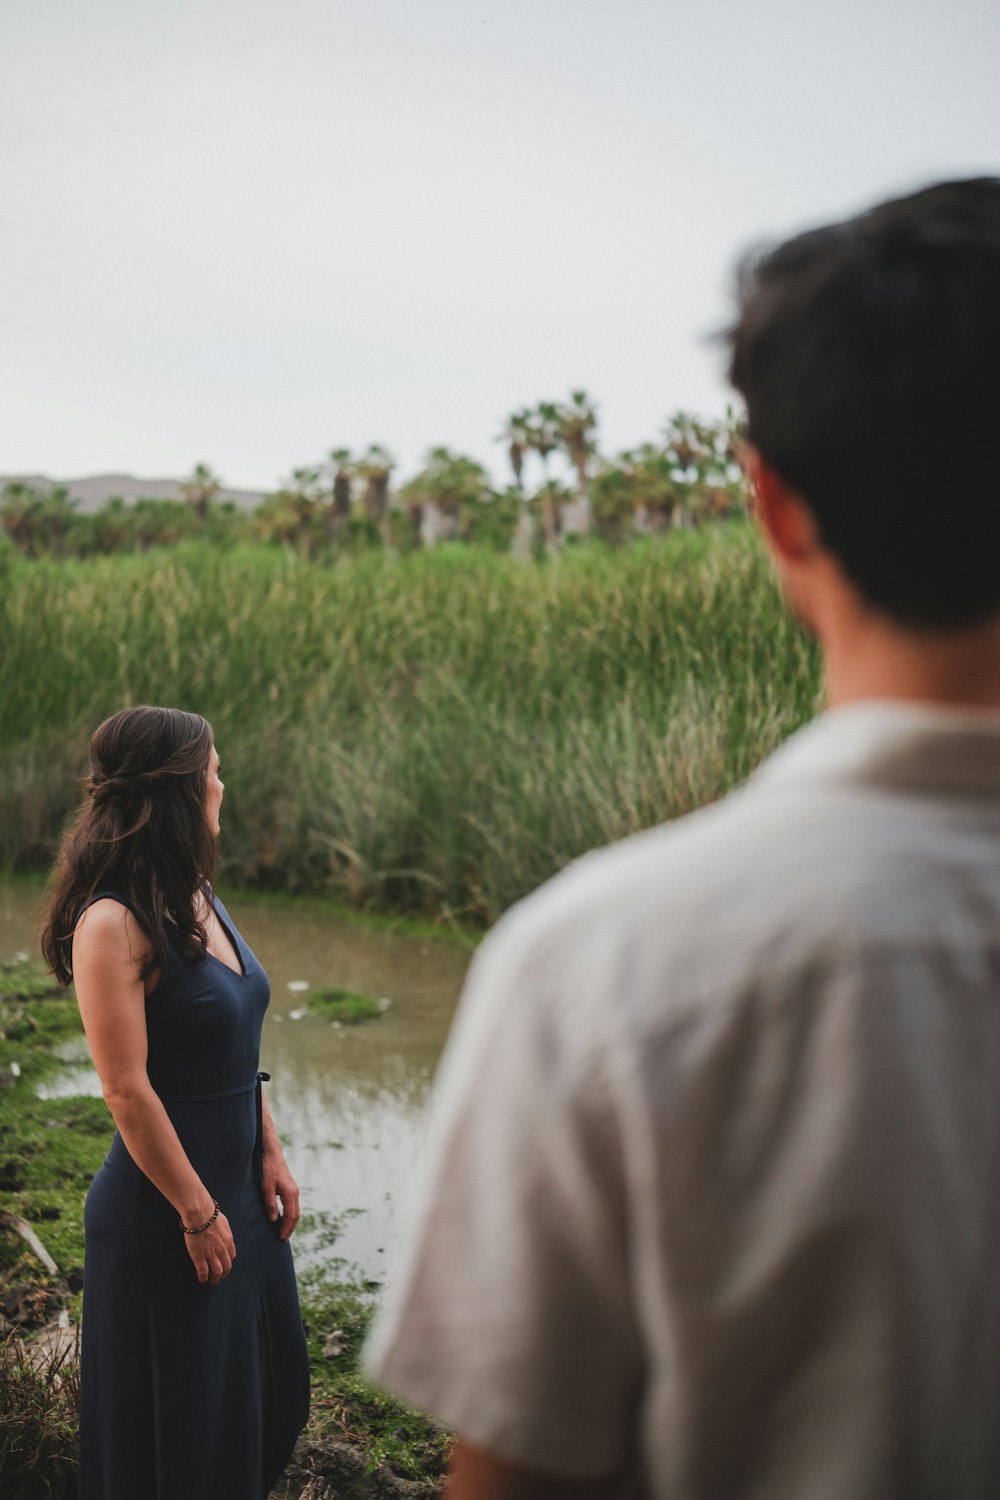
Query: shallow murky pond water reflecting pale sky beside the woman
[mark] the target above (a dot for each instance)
(349, 1102)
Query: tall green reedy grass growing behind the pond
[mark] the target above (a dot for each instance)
(436, 733)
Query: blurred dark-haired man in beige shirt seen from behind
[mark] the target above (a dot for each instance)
(713, 1201)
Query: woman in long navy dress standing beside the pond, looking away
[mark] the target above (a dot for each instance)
(194, 1372)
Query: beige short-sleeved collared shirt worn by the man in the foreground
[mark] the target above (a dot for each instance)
(713, 1187)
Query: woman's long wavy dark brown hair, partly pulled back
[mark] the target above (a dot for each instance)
(143, 833)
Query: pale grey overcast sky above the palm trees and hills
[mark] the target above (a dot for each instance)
(247, 233)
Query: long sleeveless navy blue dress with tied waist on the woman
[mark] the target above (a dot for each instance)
(188, 1391)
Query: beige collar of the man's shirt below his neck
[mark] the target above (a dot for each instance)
(894, 746)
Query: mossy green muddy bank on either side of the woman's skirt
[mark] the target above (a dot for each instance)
(50, 1151)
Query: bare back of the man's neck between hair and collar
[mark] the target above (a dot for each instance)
(869, 656)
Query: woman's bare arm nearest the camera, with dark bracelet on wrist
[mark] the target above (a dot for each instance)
(109, 955)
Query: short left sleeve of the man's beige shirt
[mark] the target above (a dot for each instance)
(510, 1316)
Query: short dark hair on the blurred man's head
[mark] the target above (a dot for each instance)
(869, 356)
